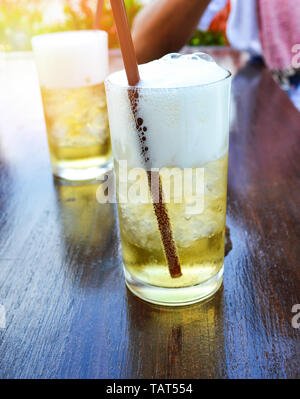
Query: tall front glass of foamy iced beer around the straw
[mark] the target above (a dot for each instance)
(186, 133)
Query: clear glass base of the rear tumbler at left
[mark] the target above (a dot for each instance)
(84, 174)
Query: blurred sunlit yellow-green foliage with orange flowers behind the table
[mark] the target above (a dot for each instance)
(20, 20)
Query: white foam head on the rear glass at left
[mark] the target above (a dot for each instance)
(67, 60)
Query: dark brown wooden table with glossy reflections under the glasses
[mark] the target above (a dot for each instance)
(68, 313)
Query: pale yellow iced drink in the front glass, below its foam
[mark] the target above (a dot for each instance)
(199, 238)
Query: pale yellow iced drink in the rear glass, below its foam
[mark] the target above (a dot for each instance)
(77, 126)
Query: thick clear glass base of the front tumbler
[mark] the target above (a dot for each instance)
(174, 296)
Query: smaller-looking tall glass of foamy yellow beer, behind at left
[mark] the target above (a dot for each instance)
(72, 67)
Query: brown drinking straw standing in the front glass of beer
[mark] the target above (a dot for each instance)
(133, 77)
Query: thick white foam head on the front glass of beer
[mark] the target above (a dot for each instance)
(183, 101)
